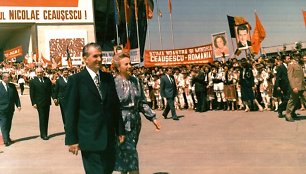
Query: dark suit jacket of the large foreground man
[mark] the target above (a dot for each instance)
(92, 122)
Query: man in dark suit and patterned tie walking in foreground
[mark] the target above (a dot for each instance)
(93, 115)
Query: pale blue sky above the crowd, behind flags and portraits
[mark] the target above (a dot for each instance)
(195, 20)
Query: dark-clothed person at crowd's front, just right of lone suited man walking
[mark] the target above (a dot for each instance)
(200, 89)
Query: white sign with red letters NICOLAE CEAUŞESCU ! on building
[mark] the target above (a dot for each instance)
(82, 12)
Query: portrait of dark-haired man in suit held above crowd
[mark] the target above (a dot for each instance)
(243, 37)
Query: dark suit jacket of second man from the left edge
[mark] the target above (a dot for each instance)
(40, 93)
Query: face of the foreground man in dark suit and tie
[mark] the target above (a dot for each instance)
(94, 59)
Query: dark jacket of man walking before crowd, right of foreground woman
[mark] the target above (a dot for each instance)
(167, 89)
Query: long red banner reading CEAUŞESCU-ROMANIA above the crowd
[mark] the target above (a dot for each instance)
(194, 55)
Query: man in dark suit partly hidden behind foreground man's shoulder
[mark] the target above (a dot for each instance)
(59, 91)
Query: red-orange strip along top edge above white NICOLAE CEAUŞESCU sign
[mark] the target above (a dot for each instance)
(41, 3)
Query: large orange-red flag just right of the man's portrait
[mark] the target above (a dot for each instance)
(258, 35)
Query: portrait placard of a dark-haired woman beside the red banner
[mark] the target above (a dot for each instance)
(220, 45)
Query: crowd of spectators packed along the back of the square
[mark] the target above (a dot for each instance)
(203, 87)
